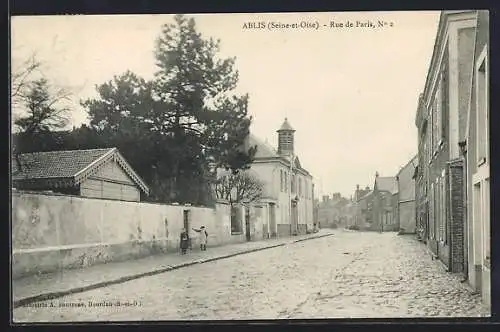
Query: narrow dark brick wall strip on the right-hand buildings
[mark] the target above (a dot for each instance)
(456, 219)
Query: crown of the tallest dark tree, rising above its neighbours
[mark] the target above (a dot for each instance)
(196, 88)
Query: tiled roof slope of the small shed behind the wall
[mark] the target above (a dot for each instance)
(54, 164)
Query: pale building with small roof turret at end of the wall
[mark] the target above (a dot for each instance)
(287, 201)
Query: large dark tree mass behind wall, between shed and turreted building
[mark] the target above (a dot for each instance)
(168, 127)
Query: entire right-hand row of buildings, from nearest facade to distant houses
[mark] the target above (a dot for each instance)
(443, 193)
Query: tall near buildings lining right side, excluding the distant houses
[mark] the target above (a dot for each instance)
(452, 178)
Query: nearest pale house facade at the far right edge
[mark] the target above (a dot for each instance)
(476, 155)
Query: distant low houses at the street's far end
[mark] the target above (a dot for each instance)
(389, 205)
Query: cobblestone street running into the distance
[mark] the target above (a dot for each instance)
(349, 274)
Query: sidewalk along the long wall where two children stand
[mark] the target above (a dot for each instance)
(53, 285)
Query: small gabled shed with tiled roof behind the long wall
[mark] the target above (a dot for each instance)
(97, 173)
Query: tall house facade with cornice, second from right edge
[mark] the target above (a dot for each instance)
(442, 123)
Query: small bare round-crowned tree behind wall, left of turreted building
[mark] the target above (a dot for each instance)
(242, 187)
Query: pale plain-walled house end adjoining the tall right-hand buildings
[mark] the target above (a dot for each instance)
(406, 197)
